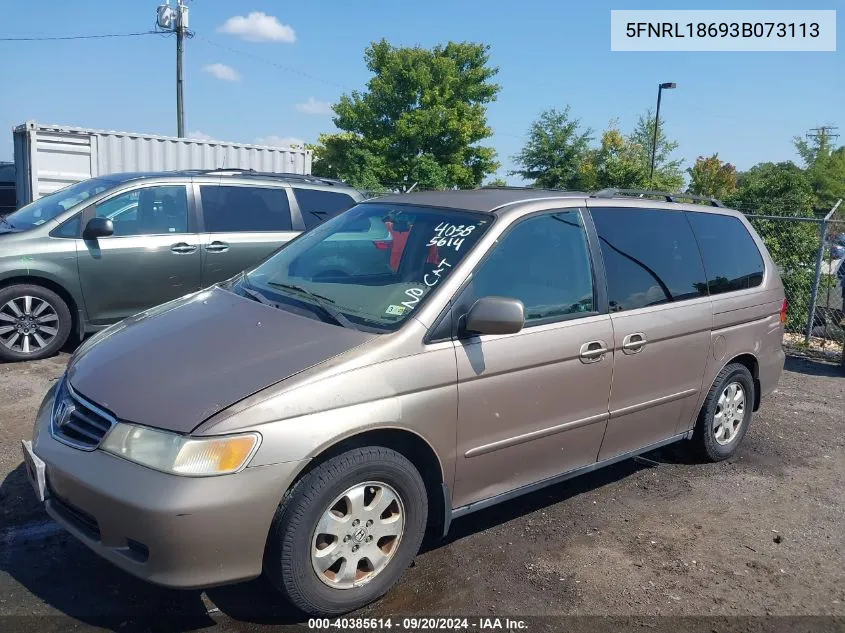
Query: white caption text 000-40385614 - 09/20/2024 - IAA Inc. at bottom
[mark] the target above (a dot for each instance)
(419, 624)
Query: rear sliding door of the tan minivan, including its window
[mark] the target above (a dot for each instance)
(661, 322)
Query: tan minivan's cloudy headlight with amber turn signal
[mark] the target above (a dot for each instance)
(180, 455)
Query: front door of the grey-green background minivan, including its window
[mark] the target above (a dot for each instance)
(152, 257)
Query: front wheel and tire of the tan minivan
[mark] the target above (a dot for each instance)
(346, 531)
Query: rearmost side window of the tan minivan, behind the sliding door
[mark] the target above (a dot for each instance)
(731, 258)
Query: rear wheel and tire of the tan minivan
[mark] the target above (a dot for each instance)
(725, 414)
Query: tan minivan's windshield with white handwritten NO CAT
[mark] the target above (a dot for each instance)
(370, 267)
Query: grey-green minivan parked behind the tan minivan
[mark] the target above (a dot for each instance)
(106, 248)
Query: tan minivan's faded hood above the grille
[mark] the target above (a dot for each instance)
(174, 366)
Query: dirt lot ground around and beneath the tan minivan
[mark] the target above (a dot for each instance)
(761, 534)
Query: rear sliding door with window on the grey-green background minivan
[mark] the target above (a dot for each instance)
(242, 225)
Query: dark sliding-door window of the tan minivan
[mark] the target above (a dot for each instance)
(650, 256)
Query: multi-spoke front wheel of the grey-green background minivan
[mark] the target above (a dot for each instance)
(35, 322)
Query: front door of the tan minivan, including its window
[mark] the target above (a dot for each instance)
(533, 404)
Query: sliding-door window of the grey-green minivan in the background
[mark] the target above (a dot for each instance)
(230, 209)
